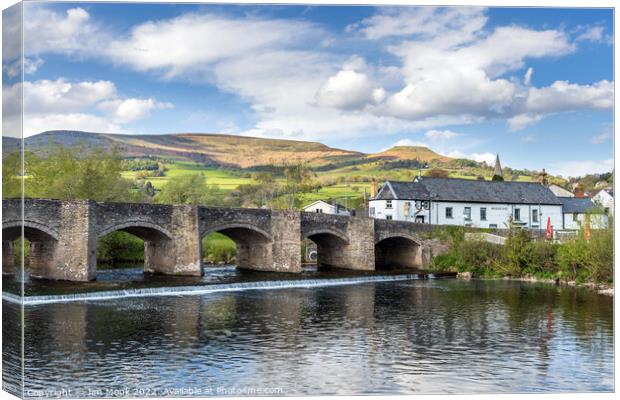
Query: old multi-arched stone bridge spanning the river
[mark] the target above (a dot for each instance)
(64, 235)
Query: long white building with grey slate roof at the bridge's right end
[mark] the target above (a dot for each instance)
(475, 203)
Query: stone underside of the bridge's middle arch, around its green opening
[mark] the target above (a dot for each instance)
(254, 246)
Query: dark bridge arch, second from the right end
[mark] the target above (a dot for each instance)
(330, 244)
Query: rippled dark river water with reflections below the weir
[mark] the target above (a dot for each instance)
(444, 336)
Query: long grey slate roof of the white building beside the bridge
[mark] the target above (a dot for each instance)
(467, 190)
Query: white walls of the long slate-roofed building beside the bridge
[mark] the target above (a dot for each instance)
(497, 214)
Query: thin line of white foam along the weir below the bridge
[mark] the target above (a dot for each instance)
(198, 290)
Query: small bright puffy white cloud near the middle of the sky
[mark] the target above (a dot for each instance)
(348, 90)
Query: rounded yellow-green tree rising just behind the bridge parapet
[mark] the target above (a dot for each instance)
(189, 189)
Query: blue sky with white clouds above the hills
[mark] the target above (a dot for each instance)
(532, 84)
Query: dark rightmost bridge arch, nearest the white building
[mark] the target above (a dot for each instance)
(398, 250)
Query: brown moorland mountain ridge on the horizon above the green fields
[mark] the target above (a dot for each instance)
(222, 150)
